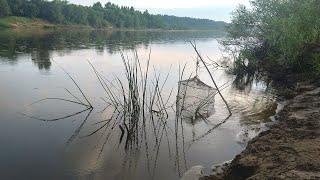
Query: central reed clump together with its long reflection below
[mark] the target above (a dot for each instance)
(140, 111)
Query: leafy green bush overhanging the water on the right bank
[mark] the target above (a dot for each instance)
(276, 33)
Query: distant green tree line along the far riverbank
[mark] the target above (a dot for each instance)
(98, 16)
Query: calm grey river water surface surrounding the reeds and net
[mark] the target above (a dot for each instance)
(30, 70)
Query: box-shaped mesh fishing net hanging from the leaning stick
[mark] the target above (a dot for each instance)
(195, 99)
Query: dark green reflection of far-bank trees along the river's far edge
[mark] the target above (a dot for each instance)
(39, 43)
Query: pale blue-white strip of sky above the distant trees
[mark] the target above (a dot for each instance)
(209, 9)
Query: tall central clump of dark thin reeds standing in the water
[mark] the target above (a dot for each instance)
(135, 101)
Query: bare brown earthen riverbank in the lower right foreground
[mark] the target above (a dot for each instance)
(289, 149)
